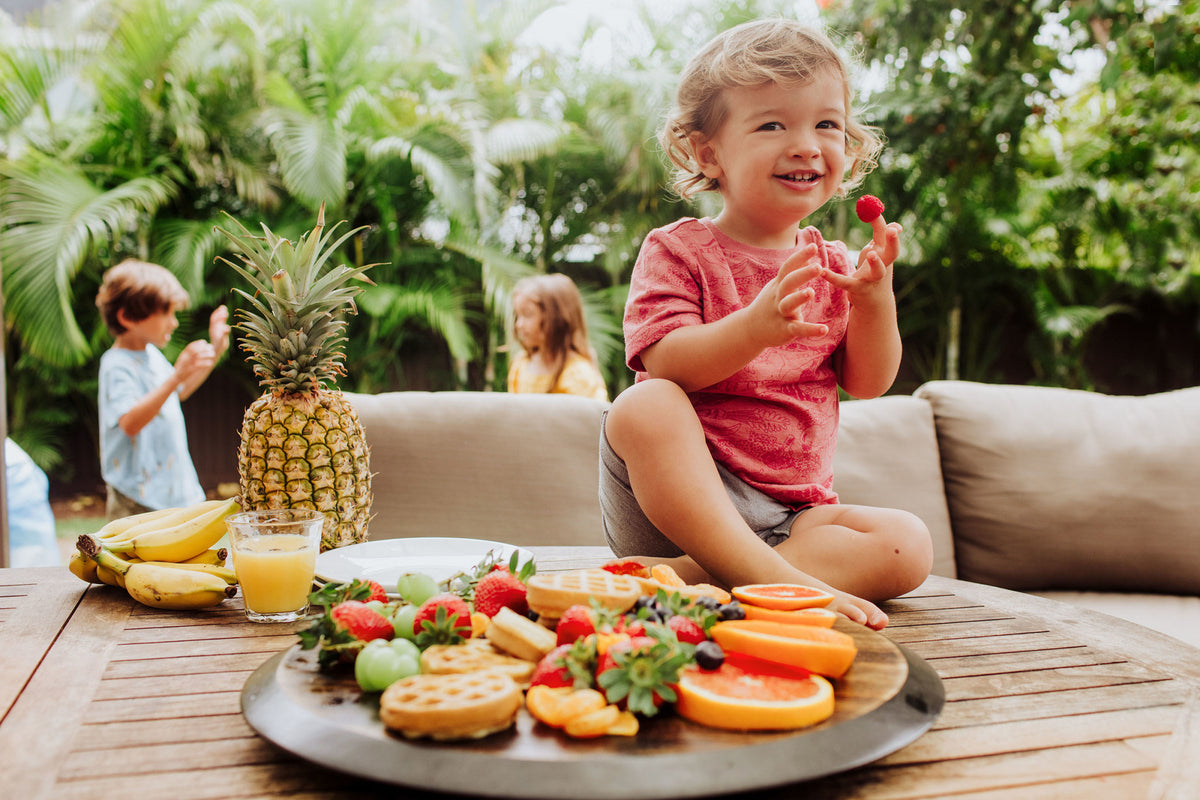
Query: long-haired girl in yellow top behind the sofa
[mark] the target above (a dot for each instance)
(549, 324)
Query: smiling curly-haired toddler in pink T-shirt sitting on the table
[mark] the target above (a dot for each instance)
(742, 328)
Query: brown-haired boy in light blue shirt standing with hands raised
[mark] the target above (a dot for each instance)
(143, 441)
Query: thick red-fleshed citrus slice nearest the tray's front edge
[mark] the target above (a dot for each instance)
(748, 694)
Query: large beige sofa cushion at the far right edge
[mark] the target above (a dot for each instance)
(1055, 489)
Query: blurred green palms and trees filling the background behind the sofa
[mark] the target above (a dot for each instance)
(1042, 159)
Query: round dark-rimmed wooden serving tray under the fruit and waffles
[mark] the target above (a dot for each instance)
(887, 700)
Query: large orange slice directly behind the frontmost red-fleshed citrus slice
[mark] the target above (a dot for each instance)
(821, 651)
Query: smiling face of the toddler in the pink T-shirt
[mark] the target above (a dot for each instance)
(779, 157)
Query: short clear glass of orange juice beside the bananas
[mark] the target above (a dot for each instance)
(275, 573)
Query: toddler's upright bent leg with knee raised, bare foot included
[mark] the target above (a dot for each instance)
(655, 430)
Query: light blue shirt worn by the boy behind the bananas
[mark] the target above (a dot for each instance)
(155, 467)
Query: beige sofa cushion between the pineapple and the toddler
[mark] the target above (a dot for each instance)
(521, 470)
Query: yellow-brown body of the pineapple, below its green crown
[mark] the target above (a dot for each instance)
(308, 450)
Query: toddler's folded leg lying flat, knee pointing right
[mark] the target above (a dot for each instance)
(873, 554)
